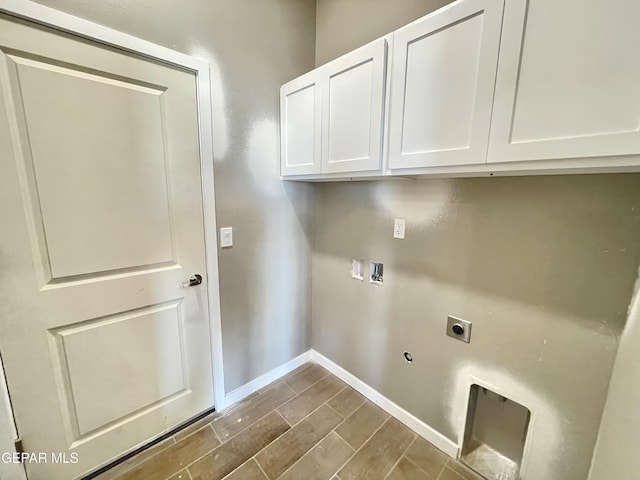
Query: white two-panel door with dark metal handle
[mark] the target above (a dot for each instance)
(101, 219)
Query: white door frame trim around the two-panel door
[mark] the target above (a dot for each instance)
(42, 15)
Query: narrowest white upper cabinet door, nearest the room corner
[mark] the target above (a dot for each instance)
(300, 126)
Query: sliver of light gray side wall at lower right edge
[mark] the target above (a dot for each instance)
(616, 454)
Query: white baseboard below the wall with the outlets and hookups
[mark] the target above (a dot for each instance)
(433, 436)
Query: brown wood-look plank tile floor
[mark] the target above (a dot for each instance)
(307, 425)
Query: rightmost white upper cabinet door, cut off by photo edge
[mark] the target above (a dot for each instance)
(568, 81)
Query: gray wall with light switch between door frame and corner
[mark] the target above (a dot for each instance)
(253, 47)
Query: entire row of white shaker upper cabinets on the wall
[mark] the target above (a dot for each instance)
(479, 87)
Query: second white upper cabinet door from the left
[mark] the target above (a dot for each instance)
(352, 110)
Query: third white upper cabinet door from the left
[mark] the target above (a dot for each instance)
(442, 85)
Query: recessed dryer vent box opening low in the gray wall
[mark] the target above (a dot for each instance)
(495, 435)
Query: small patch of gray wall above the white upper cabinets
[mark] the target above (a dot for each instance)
(343, 25)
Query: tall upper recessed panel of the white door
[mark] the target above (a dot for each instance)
(121, 149)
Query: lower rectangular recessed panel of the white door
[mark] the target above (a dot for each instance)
(84, 355)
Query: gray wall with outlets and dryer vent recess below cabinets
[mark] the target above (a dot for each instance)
(544, 267)
